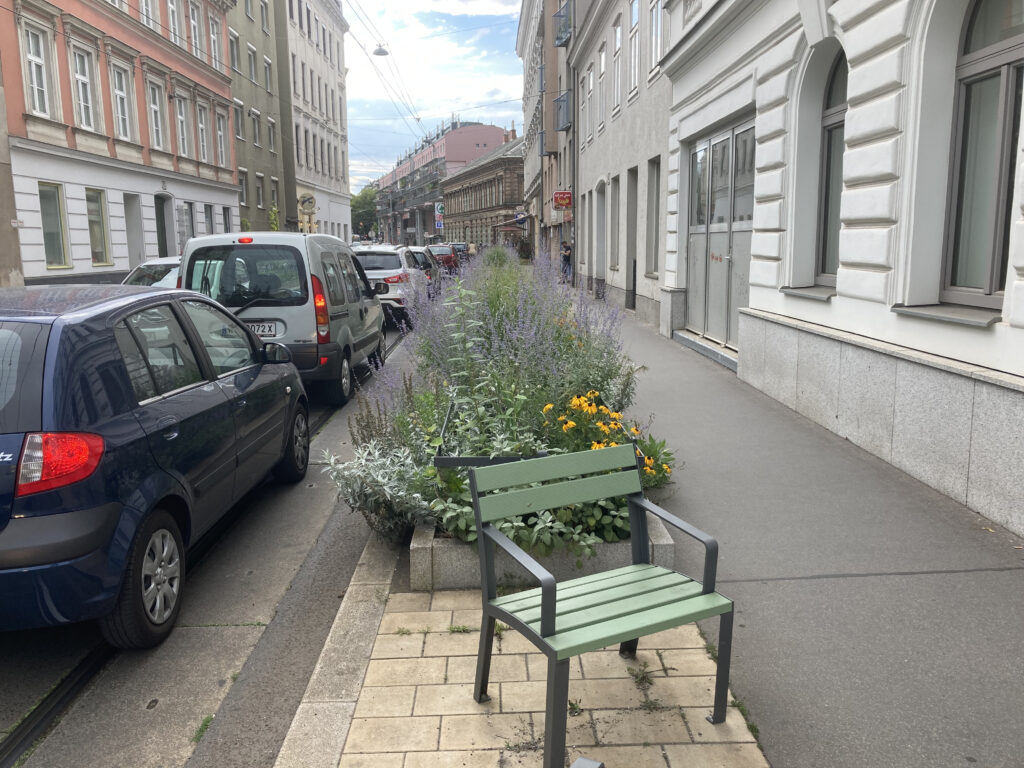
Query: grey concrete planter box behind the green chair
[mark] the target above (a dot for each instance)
(442, 564)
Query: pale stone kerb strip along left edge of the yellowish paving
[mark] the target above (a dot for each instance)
(320, 729)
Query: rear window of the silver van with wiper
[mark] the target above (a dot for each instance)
(246, 275)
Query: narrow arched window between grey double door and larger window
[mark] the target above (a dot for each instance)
(833, 146)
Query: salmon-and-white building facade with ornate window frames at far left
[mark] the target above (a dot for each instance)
(120, 122)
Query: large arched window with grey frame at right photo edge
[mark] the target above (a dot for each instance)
(989, 115)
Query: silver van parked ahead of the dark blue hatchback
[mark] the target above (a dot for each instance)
(304, 291)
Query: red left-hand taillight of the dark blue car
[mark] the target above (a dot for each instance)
(52, 460)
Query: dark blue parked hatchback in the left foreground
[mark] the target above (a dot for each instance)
(132, 419)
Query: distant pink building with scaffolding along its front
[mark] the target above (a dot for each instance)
(408, 196)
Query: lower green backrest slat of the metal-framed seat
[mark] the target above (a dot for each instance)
(527, 501)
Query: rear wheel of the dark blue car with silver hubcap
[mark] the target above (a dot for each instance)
(152, 588)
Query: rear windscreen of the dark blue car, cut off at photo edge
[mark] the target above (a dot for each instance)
(23, 348)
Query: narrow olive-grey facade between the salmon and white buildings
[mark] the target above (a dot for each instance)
(262, 113)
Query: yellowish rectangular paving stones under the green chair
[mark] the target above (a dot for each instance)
(416, 708)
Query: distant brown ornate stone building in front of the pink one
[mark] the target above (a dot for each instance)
(483, 199)
